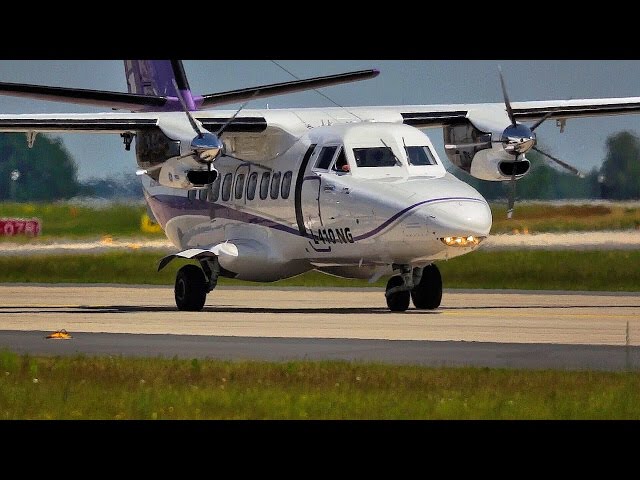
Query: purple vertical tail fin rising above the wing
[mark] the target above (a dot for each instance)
(156, 77)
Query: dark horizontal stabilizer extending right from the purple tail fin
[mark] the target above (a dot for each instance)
(252, 93)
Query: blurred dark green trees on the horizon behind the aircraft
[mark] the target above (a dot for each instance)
(48, 172)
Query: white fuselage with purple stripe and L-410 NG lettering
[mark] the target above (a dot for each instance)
(293, 207)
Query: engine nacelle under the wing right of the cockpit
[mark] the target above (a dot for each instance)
(472, 150)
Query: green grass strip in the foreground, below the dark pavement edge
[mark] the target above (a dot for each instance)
(160, 388)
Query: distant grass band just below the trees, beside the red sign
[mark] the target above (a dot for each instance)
(124, 220)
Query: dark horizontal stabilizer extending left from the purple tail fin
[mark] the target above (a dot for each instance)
(81, 96)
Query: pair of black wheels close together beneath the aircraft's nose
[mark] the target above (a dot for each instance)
(423, 286)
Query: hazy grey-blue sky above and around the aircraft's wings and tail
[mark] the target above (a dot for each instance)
(400, 82)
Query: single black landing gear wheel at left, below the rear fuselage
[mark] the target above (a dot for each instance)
(194, 283)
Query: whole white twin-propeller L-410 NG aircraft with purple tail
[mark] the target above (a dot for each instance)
(262, 195)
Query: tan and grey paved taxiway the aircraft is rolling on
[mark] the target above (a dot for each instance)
(511, 329)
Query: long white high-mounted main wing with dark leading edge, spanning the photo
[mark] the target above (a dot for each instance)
(255, 121)
